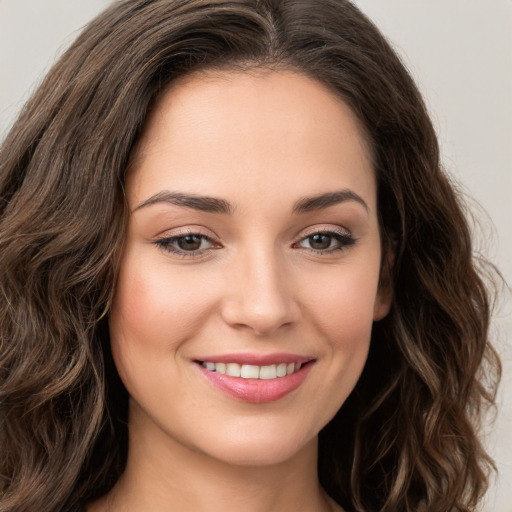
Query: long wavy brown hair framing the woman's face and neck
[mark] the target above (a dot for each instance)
(406, 439)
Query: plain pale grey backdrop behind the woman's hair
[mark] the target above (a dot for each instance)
(460, 53)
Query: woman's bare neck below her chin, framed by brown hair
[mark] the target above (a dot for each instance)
(163, 475)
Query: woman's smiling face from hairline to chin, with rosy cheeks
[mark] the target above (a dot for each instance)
(253, 249)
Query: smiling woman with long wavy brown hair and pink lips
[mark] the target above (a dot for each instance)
(234, 273)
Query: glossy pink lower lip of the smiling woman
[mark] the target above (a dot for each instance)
(257, 390)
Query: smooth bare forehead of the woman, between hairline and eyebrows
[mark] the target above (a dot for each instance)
(244, 131)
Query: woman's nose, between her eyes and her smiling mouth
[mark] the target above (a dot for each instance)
(259, 295)
